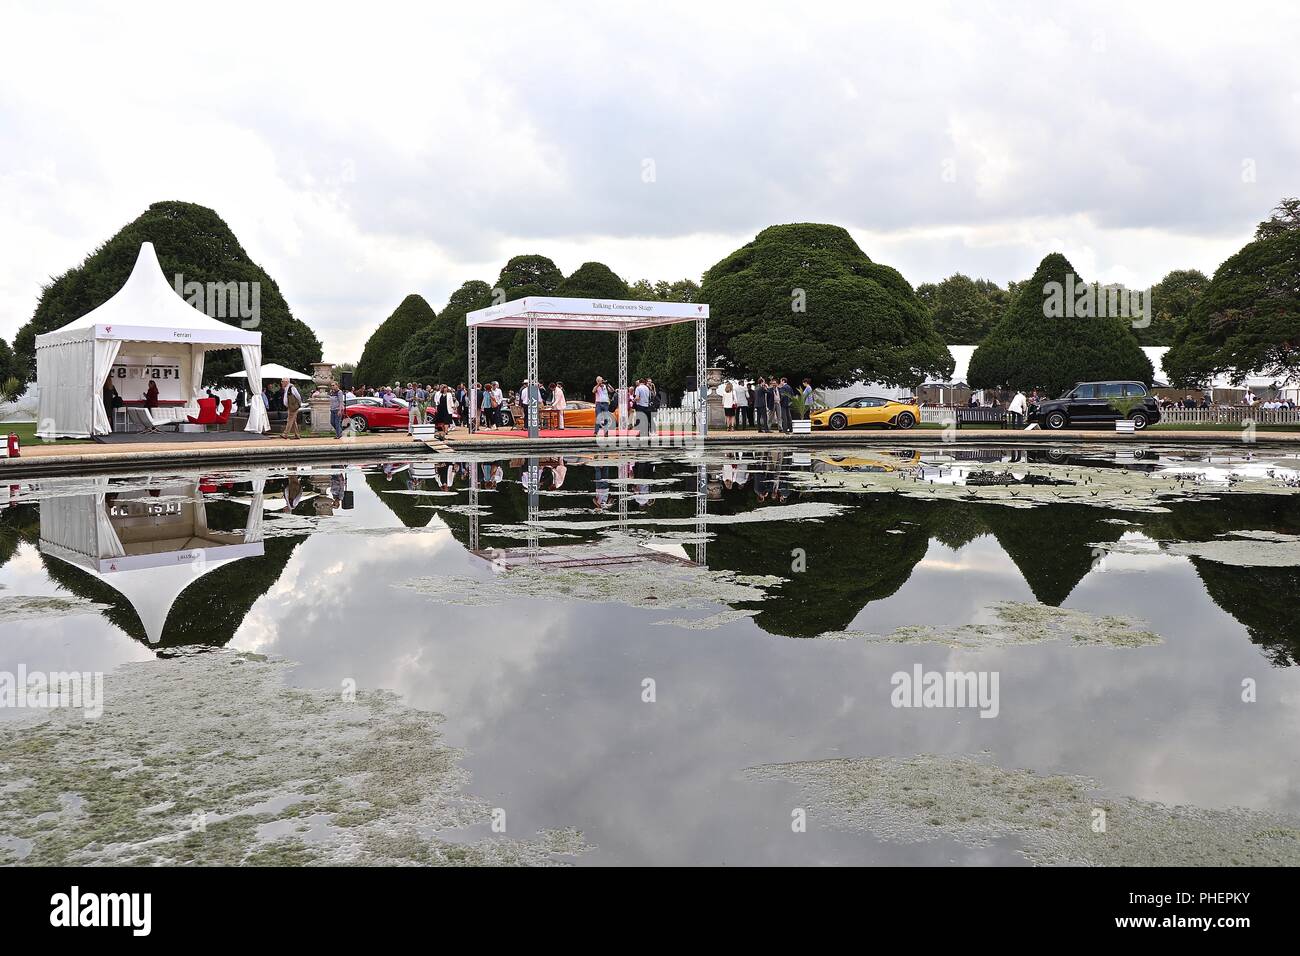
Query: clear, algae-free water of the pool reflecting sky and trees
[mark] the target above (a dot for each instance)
(545, 694)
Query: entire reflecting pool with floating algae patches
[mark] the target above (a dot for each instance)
(778, 656)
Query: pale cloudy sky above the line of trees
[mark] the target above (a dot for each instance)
(366, 152)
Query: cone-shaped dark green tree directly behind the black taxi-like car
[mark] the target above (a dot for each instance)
(1030, 351)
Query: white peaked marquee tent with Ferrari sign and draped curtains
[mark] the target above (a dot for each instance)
(153, 325)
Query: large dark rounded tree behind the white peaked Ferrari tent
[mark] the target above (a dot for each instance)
(194, 243)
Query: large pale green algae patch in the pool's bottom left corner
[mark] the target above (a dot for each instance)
(211, 759)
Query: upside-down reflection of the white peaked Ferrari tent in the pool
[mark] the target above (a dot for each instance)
(148, 544)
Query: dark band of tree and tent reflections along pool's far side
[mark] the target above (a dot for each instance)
(181, 563)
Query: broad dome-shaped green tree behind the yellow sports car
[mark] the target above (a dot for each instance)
(805, 301)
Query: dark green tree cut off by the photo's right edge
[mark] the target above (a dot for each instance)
(1249, 319)
